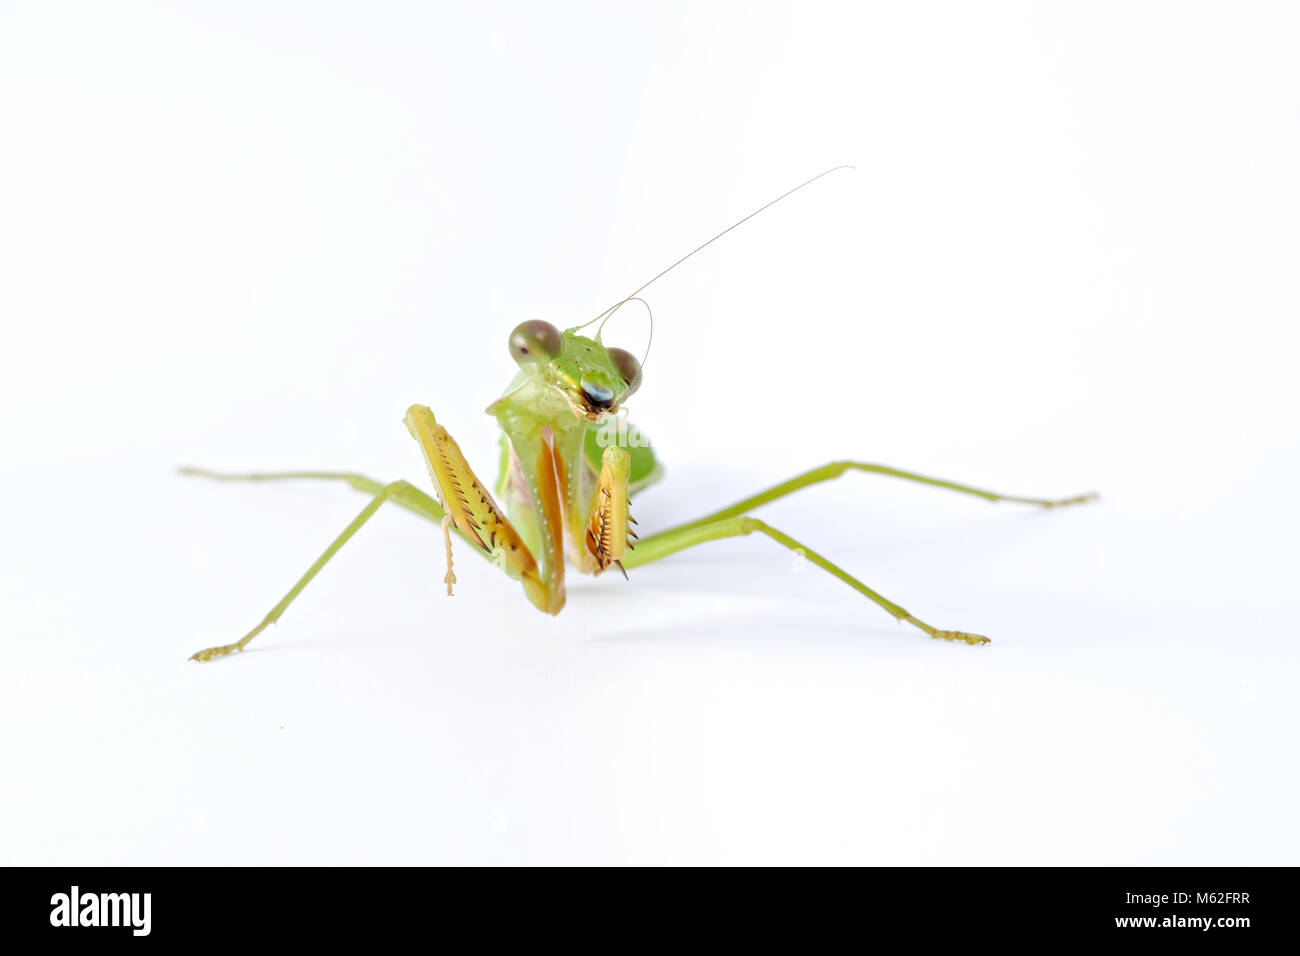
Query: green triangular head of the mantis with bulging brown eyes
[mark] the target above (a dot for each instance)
(593, 378)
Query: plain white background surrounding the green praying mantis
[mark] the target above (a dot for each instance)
(250, 236)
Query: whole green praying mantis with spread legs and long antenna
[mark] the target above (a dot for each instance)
(570, 464)
